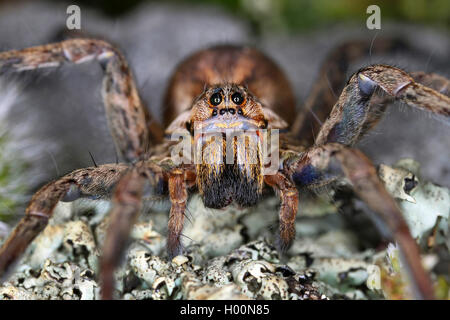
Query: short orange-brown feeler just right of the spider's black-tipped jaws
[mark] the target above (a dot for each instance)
(288, 194)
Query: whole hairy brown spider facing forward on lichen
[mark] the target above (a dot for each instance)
(232, 88)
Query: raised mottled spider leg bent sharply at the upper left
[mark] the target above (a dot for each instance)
(130, 124)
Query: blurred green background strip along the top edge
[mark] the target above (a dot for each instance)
(296, 15)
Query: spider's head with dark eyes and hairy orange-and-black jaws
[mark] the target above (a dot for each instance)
(225, 122)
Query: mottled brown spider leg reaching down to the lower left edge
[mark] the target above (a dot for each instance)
(95, 181)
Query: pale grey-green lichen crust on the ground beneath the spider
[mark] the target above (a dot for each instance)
(228, 255)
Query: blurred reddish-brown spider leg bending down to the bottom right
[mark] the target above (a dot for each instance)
(322, 164)
